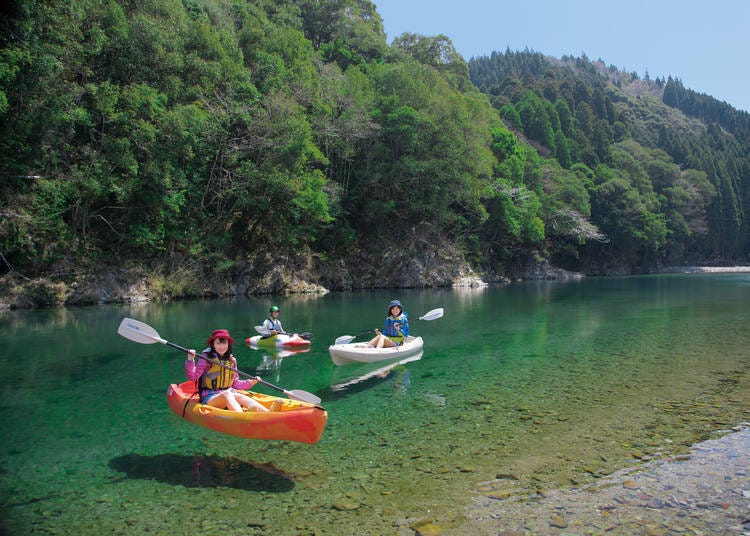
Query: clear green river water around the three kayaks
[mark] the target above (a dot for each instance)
(552, 383)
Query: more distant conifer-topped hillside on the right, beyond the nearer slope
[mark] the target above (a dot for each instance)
(666, 170)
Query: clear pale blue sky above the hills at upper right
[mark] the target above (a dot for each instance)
(705, 44)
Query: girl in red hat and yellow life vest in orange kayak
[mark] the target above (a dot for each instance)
(216, 384)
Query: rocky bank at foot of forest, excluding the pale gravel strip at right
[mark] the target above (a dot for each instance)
(137, 284)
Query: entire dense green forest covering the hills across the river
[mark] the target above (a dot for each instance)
(206, 136)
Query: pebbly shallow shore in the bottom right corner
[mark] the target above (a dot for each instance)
(705, 492)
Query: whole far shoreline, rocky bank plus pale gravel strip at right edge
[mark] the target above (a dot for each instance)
(138, 286)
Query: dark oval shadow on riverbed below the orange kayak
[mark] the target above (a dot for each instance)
(204, 472)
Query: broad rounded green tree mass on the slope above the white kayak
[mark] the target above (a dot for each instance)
(429, 162)
